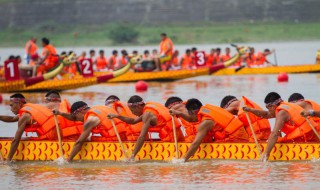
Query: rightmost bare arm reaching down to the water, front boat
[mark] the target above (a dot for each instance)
(281, 118)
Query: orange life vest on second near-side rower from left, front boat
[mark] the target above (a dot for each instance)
(105, 128)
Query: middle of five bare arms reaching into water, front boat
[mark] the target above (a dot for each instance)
(147, 119)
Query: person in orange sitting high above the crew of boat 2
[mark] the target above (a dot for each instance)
(166, 51)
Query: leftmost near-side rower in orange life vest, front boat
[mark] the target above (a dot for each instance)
(31, 116)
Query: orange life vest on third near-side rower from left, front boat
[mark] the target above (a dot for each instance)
(164, 122)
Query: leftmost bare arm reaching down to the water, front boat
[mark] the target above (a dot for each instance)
(23, 121)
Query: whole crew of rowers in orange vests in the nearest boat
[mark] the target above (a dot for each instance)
(236, 120)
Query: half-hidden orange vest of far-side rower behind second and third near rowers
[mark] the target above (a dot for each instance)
(133, 131)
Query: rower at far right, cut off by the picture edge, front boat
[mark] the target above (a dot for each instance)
(309, 106)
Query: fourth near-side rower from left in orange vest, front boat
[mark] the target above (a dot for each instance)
(214, 122)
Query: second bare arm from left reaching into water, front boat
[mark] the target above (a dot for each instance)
(87, 127)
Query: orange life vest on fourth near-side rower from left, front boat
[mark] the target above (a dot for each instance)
(226, 128)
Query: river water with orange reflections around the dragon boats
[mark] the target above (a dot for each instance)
(218, 174)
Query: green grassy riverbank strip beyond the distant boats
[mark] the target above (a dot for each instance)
(203, 33)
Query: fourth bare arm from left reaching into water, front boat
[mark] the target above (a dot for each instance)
(203, 130)
